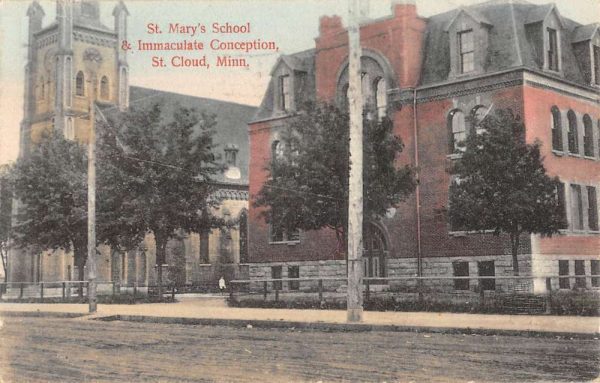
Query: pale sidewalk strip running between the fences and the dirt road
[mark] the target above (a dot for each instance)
(214, 311)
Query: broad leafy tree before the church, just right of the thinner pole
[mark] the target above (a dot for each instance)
(165, 166)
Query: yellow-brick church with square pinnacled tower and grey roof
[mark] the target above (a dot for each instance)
(76, 60)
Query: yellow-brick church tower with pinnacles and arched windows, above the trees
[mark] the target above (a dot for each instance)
(72, 62)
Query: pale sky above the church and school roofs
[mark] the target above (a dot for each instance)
(291, 24)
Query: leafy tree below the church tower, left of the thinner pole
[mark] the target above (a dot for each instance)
(51, 186)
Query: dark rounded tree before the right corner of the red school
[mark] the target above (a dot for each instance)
(500, 184)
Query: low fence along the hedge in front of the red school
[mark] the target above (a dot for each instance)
(507, 290)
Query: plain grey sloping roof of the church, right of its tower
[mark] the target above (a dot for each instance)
(231, 126)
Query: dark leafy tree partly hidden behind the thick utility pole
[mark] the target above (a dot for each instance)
(308, 184)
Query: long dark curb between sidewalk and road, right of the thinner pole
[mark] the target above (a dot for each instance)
(342, 327)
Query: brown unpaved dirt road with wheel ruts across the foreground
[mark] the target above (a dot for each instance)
(75, 350)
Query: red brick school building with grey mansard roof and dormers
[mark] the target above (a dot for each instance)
(429, 75)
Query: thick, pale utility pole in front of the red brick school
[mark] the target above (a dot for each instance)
(355, 199)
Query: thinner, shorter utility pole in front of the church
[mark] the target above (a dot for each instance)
(91, 261)
